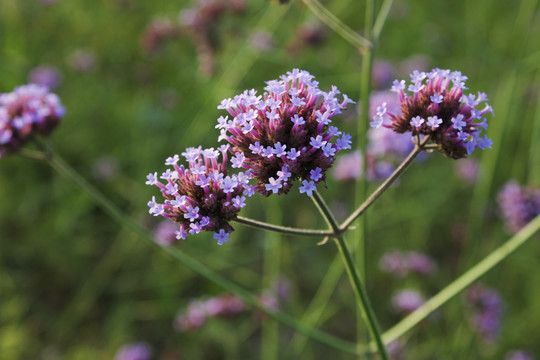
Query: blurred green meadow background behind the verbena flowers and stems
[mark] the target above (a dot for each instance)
(139, 84)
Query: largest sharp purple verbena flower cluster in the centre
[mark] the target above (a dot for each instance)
(285, 134)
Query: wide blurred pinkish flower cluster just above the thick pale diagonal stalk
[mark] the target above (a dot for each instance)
(400, 263)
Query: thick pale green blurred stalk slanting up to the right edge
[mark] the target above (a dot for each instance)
(458, 285)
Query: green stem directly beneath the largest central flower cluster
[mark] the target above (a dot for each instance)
(354, 277)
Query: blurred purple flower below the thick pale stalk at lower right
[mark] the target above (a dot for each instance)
(487, 310)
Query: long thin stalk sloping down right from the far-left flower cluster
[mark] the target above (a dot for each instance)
(68, 172)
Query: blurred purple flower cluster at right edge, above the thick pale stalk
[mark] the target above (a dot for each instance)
(518, 205)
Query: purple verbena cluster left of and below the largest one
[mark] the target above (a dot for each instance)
(201, 196)
